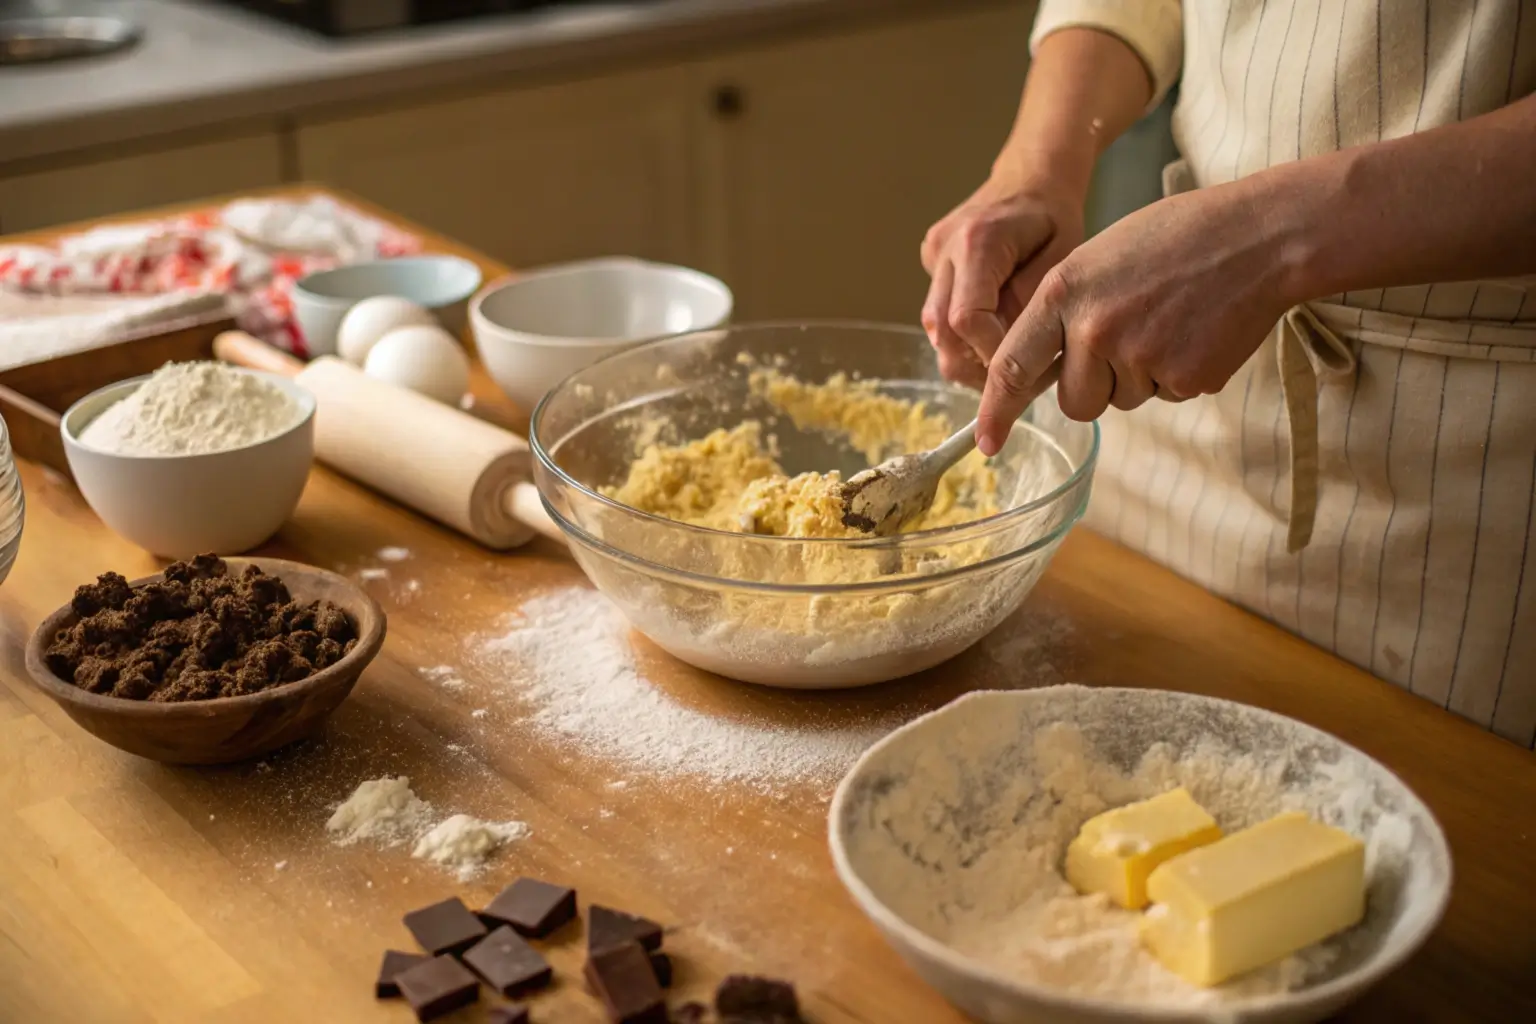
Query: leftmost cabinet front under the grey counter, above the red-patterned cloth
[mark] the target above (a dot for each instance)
(136, 182)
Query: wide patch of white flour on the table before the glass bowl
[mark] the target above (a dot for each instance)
(569, 658)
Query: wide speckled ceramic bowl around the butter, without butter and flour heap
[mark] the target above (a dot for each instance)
(918, 818)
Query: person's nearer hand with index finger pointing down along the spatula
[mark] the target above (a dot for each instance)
(1167, 303)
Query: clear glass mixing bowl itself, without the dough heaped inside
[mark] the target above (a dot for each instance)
(789, 612)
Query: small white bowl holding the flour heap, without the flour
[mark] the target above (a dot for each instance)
(182, 506)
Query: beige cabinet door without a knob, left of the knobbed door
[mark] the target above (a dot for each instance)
(531, 176)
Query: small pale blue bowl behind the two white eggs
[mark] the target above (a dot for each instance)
(440, 283)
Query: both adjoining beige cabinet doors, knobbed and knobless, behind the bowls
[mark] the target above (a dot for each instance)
(803, 171)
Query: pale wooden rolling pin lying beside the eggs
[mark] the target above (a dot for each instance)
(457, 469)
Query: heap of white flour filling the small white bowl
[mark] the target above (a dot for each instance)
(194, 409)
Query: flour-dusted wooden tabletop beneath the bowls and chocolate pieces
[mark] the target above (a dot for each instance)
(137, 893)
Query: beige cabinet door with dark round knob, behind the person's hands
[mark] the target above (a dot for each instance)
(826, 160)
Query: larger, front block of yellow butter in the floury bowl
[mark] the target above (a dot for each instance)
(1256, 897)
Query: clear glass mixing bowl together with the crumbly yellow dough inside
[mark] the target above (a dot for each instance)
(695, 477)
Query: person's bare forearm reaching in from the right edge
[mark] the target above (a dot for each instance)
(1455, 203)
